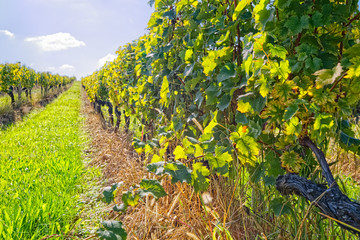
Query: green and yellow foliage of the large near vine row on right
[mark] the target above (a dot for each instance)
(219, 86)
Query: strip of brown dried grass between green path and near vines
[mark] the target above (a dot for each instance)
(179, 215)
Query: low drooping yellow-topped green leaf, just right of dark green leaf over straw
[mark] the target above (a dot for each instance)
(199, 177)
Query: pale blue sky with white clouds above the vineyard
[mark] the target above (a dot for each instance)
(69, 37)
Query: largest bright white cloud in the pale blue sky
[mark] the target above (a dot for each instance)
(56, 42)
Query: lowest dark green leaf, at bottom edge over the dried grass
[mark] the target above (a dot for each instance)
(112, 230)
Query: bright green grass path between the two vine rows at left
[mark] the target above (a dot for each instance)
(41, 166)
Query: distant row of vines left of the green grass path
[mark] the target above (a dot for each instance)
(17, 78)
